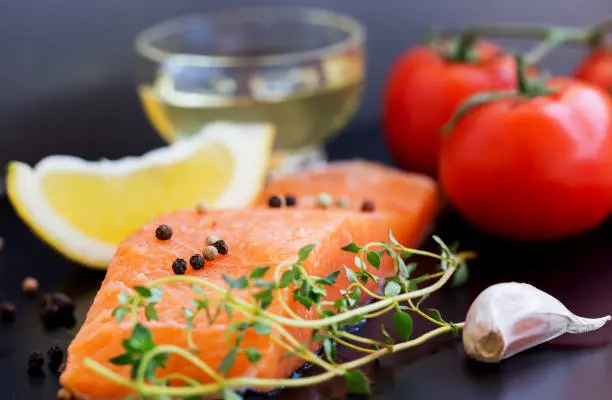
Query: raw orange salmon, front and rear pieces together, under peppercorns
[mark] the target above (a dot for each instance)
(258, 236)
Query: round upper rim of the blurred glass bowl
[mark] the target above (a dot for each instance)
(355, 30)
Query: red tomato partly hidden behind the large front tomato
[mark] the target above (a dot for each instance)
(422, 91)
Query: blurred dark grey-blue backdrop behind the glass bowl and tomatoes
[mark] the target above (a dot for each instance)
(66, 66)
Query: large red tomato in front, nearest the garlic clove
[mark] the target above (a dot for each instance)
(532, 169)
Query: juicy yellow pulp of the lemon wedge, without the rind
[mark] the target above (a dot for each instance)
(118, 202)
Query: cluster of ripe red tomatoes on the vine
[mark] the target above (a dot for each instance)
(517, 154)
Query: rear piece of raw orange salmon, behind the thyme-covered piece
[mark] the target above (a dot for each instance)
(392, 192)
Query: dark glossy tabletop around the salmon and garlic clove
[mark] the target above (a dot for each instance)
(578, 272)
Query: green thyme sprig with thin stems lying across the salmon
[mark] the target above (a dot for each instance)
(246, 300)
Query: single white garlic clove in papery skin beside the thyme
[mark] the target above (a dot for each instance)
(508, 318)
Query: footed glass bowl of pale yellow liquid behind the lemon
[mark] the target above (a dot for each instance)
(299, 69)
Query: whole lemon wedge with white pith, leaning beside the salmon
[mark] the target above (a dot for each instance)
(84, 209)
